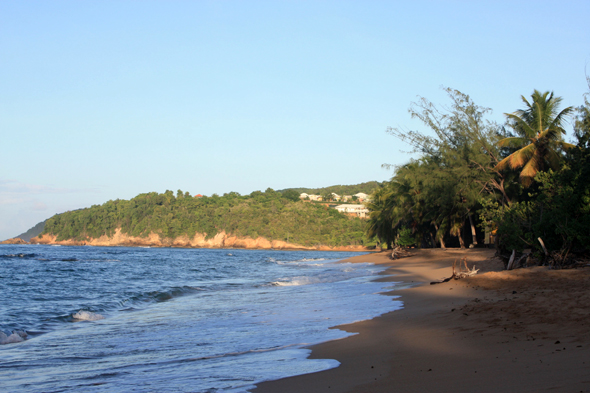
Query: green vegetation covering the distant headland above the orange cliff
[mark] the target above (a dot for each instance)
(267, 214)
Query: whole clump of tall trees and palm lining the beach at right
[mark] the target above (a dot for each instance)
(520, 181)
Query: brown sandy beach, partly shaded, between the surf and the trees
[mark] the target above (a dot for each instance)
(524, 330)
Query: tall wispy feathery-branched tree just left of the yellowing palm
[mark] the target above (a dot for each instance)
(439, 192)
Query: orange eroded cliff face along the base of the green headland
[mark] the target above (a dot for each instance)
(221, 240)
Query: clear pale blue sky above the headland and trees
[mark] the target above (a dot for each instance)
(109, 99)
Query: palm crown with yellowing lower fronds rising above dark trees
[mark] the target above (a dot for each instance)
(540, 129)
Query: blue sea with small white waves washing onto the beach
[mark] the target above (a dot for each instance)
(94, 319)
